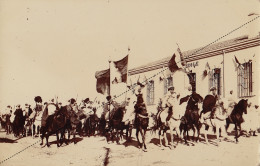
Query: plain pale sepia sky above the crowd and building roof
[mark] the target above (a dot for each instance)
(53, 48)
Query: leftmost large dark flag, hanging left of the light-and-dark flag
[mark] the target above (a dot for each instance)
(103, 81)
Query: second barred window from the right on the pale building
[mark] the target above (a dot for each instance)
(214, 79)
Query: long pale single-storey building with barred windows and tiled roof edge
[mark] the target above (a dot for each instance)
(228, 65)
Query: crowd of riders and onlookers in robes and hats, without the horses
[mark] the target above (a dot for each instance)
(26, 117)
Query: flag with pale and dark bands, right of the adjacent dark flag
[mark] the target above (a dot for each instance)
(121, 70)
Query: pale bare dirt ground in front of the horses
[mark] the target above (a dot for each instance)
(96, 151)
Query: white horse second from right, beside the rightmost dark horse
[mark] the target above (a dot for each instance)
(216, 121)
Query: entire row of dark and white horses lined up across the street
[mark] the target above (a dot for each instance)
(65, 123)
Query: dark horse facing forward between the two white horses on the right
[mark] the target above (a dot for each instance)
(190, 120)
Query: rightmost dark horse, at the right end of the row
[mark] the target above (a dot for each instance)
(236, 117)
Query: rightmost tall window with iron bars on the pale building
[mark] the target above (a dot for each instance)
(245, 82)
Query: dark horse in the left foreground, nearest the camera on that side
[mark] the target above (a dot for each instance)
(55, 123)
